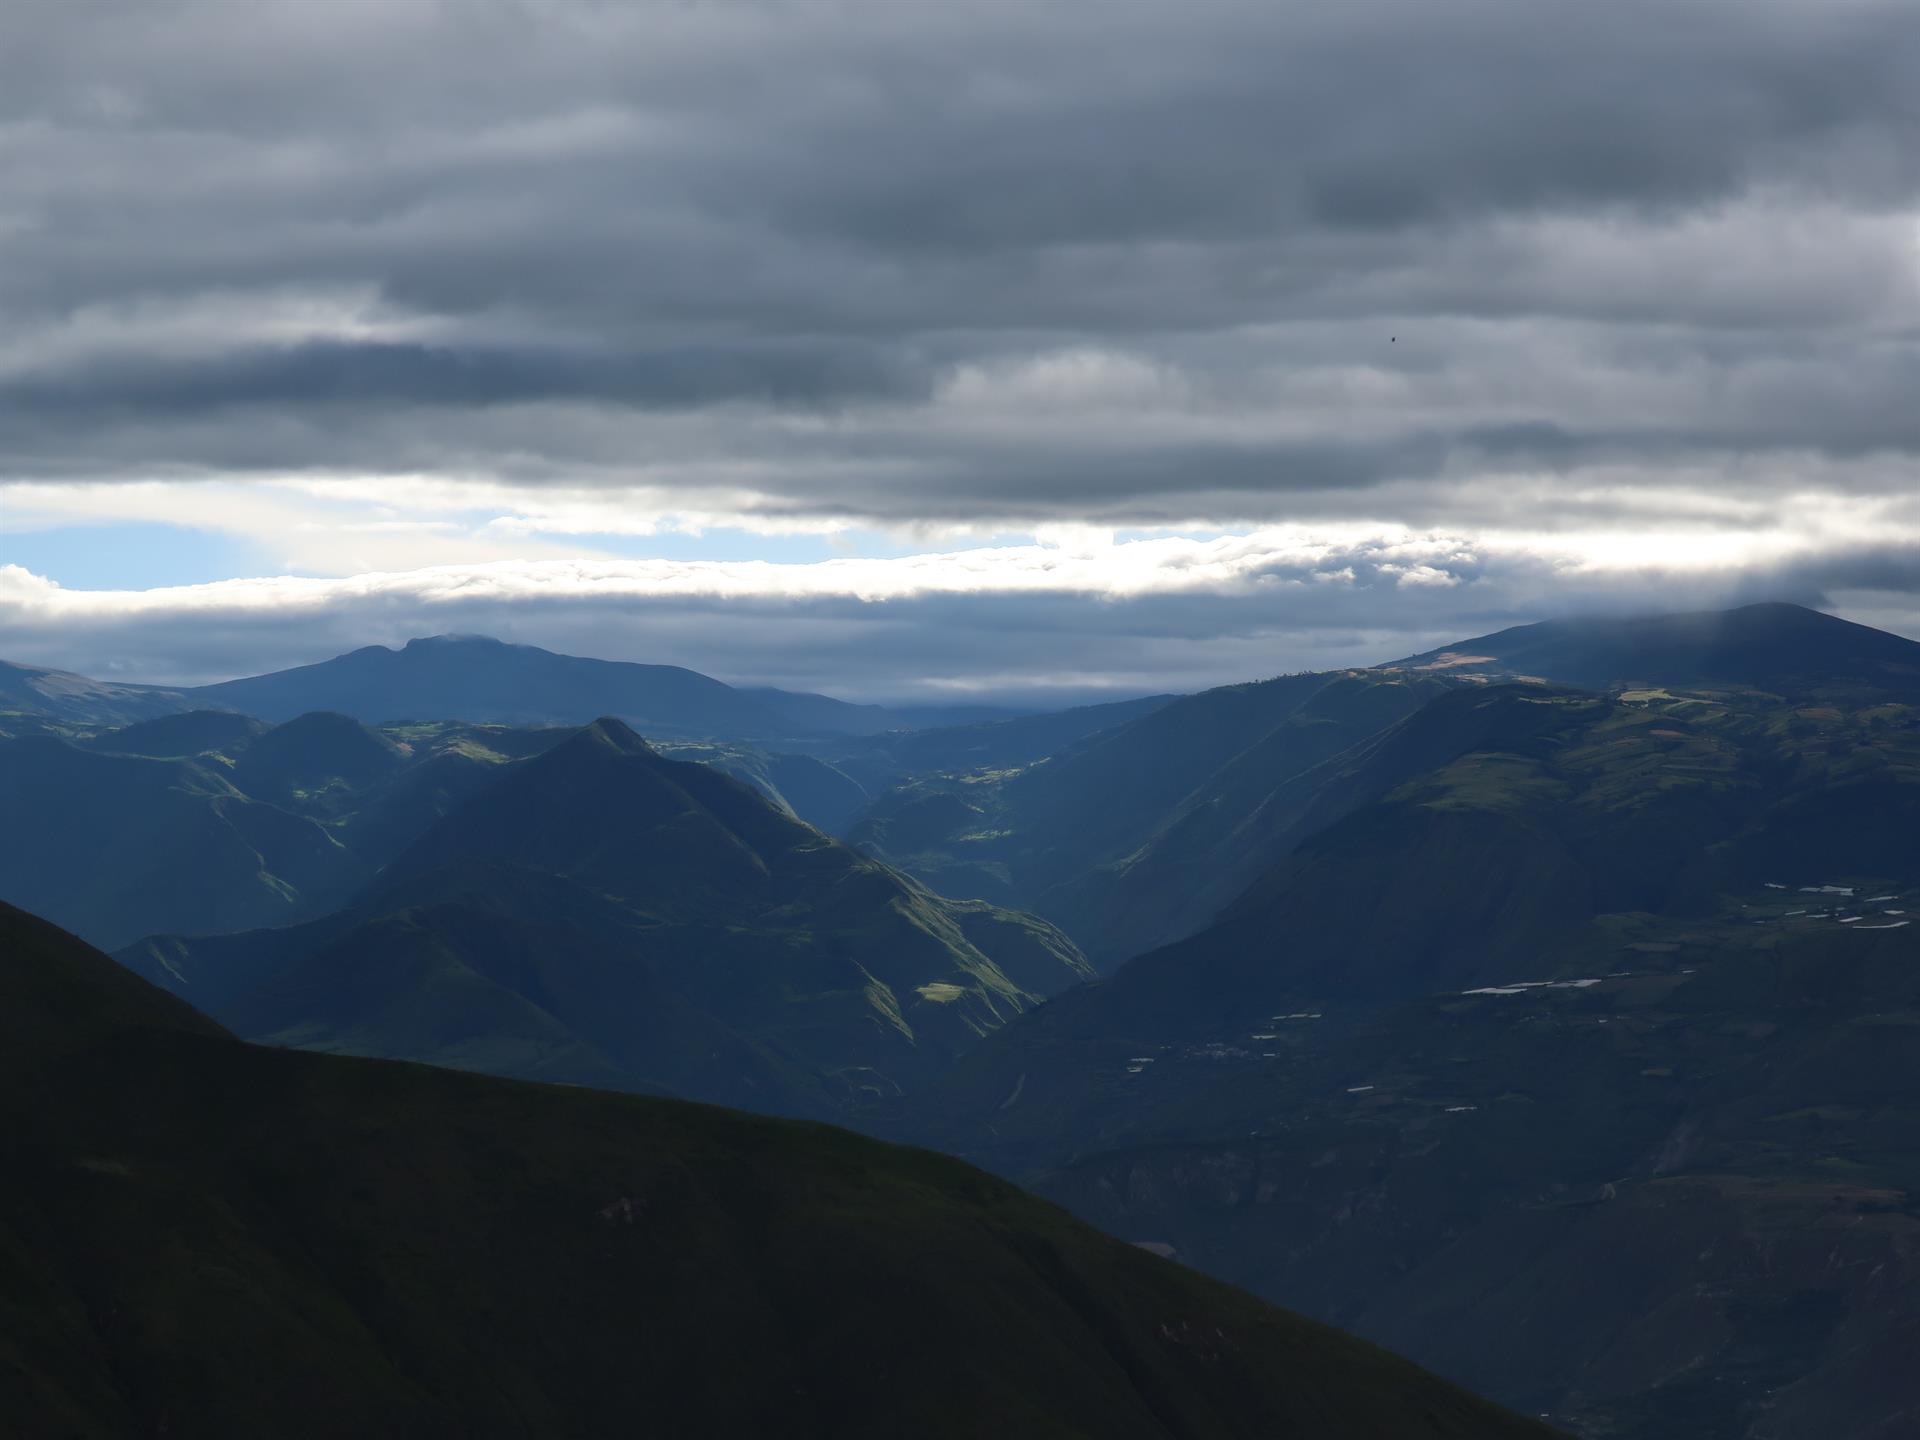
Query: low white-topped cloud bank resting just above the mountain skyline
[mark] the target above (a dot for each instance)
(1030, 623)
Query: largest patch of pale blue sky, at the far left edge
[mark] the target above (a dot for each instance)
(128, 556)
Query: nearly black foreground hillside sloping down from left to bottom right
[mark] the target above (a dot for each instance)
(203, 1237)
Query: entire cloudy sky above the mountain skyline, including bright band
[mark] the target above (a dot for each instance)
(923, 350)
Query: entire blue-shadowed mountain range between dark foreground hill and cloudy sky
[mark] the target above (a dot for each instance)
(1537, 1007)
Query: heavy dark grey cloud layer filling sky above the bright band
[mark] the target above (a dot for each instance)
(540, 241)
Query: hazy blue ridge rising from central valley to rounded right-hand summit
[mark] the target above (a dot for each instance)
(1149, 830)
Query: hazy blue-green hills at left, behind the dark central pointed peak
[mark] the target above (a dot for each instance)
(260, 827)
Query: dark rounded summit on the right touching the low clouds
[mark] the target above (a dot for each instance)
(1764, 646)
